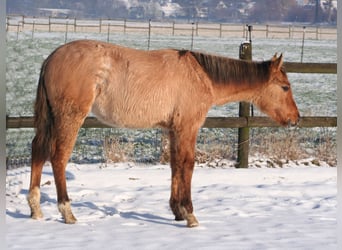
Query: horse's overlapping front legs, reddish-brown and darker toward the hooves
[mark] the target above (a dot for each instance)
(182, 164)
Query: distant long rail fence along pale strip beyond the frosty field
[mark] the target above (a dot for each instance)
(50, 24)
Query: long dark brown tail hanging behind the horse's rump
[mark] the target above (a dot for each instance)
(43, 121)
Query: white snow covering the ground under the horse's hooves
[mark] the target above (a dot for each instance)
(125, 206)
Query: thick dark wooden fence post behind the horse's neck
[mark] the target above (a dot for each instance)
(245, 53)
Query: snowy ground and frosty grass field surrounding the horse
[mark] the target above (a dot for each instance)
(283, 201)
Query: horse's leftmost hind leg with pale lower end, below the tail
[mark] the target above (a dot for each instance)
(37, 163)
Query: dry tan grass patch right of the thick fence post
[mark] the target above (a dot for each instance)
(281, 145)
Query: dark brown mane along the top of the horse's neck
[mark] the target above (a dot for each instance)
(227, 70)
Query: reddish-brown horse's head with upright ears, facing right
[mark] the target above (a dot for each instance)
(276, 99)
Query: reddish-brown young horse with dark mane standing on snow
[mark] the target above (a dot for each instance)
(125, 87)
